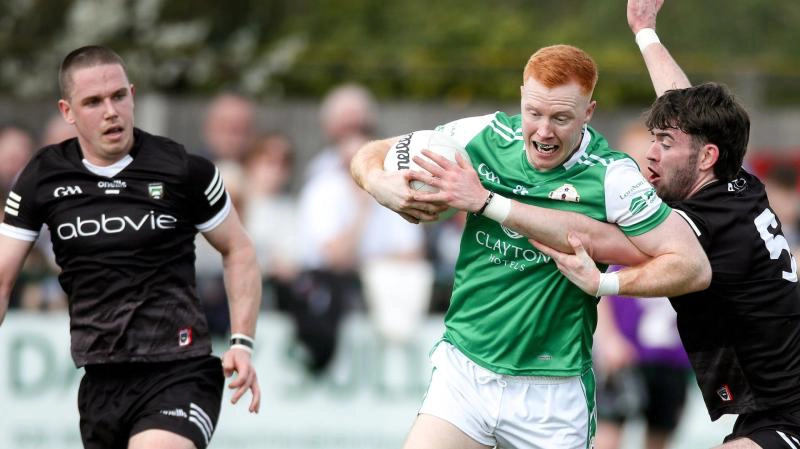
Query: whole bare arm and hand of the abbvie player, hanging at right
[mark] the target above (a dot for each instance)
(243, 286)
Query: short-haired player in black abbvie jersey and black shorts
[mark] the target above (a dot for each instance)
(123, 208)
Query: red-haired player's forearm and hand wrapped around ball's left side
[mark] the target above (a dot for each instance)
(390, 188)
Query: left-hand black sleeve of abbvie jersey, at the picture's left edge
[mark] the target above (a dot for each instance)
(23, 216)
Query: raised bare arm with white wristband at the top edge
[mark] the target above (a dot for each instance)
(664, 72)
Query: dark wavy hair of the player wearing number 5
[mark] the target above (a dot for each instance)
(709, 113)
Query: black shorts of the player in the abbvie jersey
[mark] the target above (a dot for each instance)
(118, 400)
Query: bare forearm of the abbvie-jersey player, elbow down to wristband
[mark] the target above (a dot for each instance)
(243, 287)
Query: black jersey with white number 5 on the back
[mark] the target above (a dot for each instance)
(742, 334)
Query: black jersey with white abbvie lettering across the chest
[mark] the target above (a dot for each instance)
(125, 245)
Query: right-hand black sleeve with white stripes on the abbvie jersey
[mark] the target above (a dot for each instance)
(207, 192)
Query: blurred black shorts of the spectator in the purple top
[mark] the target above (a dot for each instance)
(655, 391)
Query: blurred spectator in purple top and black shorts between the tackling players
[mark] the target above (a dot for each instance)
(642, 369)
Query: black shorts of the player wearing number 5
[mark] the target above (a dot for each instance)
(769, 429)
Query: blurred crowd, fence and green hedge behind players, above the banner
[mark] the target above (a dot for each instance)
(281, 93)
